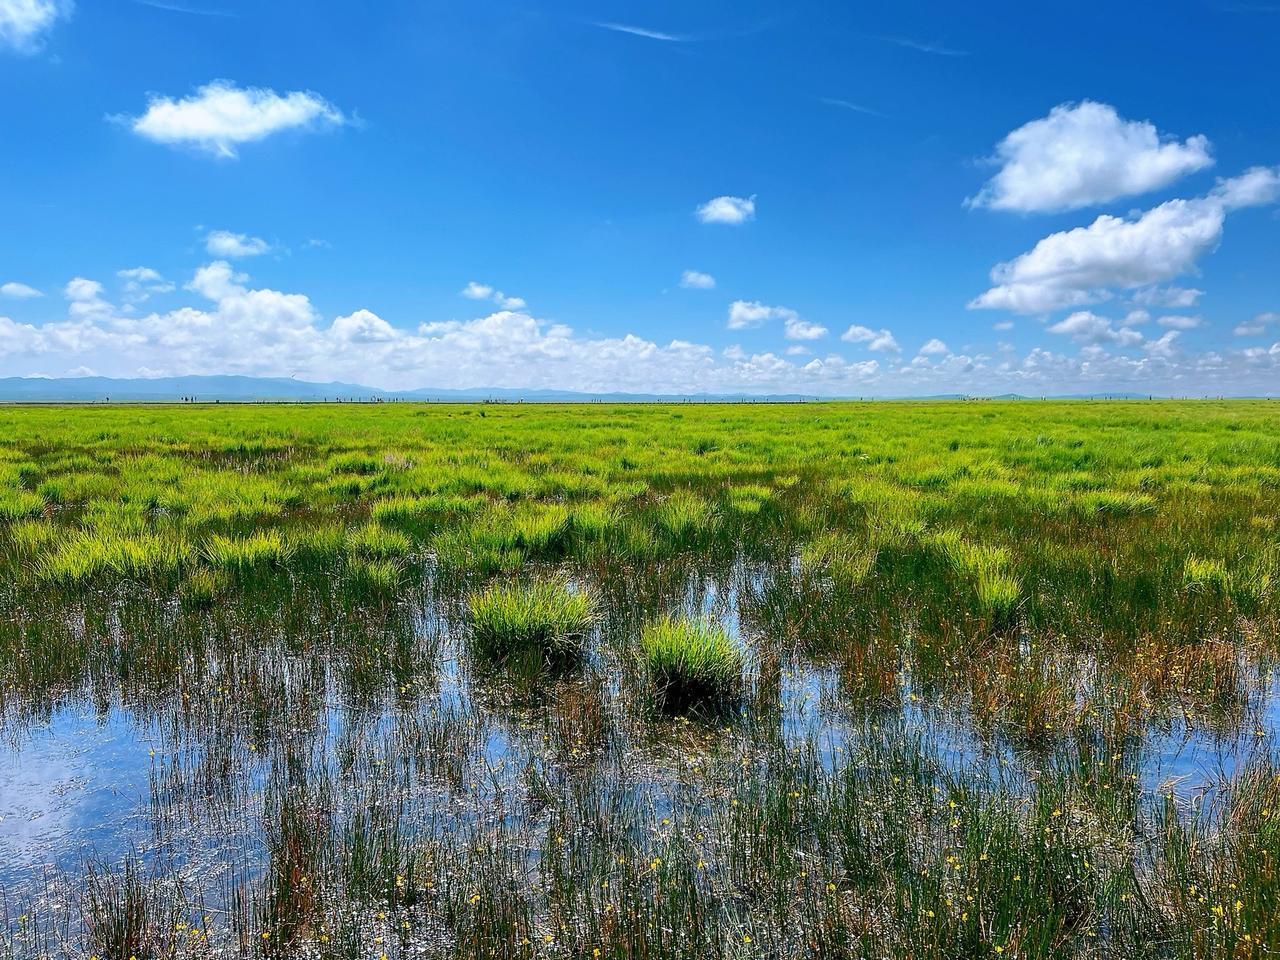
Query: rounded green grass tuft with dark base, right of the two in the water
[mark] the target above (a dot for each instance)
(691, 662)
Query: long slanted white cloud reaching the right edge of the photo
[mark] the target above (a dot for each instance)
(1085, 266)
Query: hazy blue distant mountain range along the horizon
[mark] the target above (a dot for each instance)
(248, 390)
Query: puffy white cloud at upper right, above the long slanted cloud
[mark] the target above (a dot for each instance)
(1085, 154)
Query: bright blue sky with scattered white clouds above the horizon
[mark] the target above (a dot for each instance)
(908, 200)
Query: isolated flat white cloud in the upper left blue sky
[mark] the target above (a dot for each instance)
(221, 117)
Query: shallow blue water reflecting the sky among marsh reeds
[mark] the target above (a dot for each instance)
(97, 783)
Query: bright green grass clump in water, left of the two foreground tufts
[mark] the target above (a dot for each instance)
(543, 616)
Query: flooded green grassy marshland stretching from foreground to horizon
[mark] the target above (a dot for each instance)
(885, 680)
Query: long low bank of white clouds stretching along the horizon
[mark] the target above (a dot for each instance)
(262, 332)
